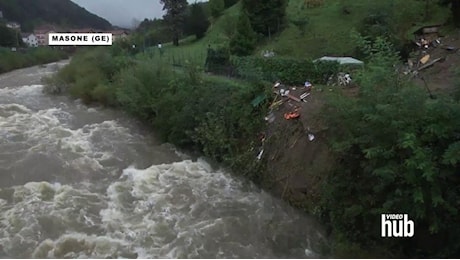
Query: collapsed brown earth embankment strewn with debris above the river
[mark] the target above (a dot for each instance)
(297, 153)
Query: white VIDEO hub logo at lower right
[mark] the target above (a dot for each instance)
(397, 225)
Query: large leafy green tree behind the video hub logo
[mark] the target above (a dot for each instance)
(398, 150)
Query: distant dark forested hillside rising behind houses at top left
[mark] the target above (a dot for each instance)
(60, 12)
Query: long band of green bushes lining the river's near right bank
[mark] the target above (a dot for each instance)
(185, 107)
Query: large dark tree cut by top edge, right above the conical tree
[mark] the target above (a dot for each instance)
(266, 16)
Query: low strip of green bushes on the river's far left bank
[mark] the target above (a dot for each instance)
(11, 60)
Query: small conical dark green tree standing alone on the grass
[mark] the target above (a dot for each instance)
(244, 41)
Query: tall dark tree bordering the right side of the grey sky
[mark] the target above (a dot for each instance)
(175, 16)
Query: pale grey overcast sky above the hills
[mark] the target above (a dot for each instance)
(124, 12)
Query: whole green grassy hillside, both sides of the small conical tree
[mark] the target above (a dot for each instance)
(327, 30)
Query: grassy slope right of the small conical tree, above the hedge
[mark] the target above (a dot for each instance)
(328, 27)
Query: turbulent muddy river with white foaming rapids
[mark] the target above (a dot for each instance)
(90, 182)
